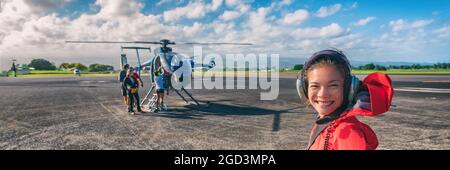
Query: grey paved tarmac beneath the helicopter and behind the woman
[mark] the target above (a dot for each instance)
(87, 113)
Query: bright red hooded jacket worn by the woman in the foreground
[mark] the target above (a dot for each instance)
(347, 132)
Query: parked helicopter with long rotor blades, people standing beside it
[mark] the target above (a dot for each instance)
(180, 67)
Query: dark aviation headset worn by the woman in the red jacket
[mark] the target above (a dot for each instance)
(351, 82)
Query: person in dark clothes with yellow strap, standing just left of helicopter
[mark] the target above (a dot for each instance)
(130, 83)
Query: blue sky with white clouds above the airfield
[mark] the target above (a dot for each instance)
(381, 30)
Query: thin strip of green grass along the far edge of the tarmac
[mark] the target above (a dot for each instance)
(52, 73)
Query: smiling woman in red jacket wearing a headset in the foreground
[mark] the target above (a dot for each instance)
(328, 86)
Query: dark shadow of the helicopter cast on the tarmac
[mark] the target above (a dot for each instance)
(215, 108)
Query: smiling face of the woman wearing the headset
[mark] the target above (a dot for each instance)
(325, 89)
